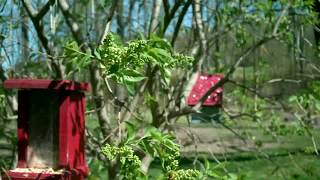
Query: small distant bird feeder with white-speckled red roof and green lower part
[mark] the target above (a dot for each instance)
(210, 109)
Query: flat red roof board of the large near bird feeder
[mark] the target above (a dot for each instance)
(46, 84)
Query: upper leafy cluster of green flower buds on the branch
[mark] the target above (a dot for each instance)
(116, 59)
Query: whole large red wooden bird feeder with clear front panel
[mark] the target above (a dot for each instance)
(61, 103)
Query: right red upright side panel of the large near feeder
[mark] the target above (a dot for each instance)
(72, 132)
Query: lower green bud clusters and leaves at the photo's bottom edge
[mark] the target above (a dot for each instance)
(159, 145)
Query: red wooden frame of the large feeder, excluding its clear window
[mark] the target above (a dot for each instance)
(71, 123)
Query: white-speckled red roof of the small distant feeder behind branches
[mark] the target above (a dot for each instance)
(203, 83)
